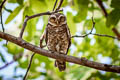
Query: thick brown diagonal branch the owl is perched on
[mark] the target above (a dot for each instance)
(55, 55)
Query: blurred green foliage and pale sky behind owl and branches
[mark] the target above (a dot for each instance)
(78, 13)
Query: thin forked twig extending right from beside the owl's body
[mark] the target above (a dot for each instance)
(90, 33)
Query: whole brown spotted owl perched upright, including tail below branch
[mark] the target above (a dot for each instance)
(57, 37)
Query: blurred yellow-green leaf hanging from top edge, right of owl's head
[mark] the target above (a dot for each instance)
(82, 7)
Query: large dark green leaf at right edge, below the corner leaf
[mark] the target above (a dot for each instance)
(113, 18)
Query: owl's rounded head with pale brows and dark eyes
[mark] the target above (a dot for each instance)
(57, 19)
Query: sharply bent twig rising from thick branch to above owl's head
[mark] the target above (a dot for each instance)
(33, 16)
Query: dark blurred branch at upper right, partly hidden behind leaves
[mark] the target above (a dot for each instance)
(106, 14)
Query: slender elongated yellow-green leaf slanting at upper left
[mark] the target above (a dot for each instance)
(13, 14)
